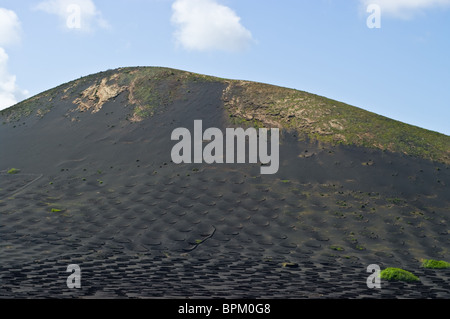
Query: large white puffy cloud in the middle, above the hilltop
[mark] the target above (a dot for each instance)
(205, 25)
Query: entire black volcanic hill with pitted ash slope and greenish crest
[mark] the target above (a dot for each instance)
(96, 186)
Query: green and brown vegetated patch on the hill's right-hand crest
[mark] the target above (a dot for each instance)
(329, 121)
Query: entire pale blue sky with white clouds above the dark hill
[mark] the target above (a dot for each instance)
(400, 70)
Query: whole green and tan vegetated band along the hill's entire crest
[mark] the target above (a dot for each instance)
(150, 90)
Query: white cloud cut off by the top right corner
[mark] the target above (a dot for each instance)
(406, 8)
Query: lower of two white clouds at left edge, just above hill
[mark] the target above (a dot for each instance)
(10, 93)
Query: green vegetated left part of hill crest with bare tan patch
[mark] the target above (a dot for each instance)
(148, 89)
